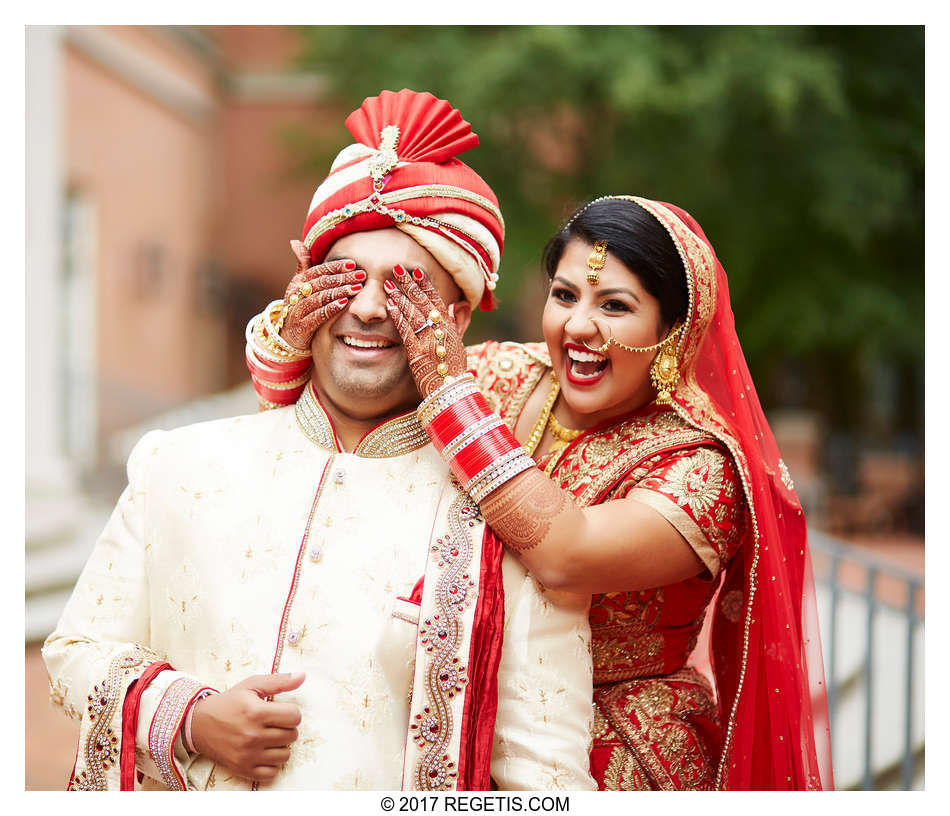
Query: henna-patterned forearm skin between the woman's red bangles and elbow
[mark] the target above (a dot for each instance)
(522, 510)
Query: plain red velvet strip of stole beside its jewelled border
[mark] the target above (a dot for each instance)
(481, 693)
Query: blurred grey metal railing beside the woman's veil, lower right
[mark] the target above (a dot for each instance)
(872, 623)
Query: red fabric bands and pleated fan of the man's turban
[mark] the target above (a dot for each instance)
(431, 135)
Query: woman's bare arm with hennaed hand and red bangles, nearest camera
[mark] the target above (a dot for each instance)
(627, 544)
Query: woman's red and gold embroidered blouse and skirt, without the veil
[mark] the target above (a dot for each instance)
(656, 721)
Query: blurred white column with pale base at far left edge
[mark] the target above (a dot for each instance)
(57, 542)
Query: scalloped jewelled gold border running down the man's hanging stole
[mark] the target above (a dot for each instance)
(441, 634)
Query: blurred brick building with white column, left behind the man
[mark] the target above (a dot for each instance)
(162, 192)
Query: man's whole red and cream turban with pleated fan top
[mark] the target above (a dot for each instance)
(402, 172)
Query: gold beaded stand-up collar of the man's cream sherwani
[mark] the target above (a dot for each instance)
(394, 437)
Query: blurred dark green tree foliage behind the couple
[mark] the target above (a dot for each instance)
(799, 150)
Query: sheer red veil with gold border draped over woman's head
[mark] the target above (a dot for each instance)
(764, 644)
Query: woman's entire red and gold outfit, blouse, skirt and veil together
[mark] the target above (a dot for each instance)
(709, 464)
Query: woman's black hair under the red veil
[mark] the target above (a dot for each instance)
(639, 241)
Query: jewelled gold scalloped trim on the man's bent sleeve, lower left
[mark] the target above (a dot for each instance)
(100, 748)
